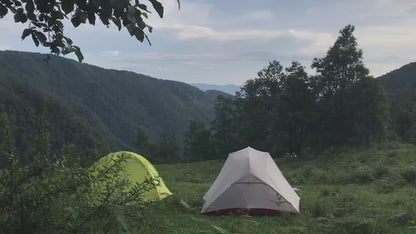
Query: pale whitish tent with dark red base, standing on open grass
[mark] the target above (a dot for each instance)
(250, 183)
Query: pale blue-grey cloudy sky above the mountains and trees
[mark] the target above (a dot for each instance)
(229, 41)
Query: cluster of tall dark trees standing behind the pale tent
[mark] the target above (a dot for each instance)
(286, 111)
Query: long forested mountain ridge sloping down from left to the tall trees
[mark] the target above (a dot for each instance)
(110, 105)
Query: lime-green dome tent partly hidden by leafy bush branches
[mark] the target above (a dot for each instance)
(135, 169)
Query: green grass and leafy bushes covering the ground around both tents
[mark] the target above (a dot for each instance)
(343, 189)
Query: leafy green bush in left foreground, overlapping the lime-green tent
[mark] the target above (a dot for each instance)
(58, 195)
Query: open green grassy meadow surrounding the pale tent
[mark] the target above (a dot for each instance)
(342, 191)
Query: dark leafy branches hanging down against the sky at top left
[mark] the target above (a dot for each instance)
(45, 19)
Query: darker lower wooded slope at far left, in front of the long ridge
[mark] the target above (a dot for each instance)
(20, 102)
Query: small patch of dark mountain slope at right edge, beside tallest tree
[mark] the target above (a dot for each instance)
(396, 81)
